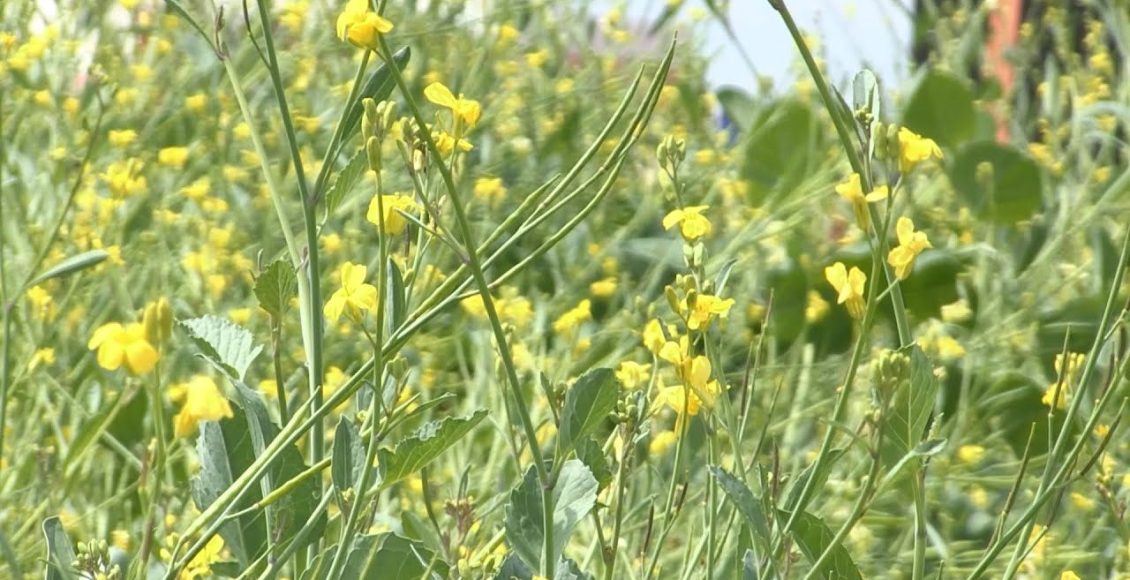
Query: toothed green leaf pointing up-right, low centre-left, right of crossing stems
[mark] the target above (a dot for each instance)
(422, 448)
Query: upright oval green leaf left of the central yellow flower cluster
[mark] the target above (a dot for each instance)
(588, 404)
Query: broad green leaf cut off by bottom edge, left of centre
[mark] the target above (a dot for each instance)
(389, 557)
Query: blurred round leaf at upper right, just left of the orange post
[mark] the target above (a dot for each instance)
(942, 109)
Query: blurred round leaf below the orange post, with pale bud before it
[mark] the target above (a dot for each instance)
(999, 183)
